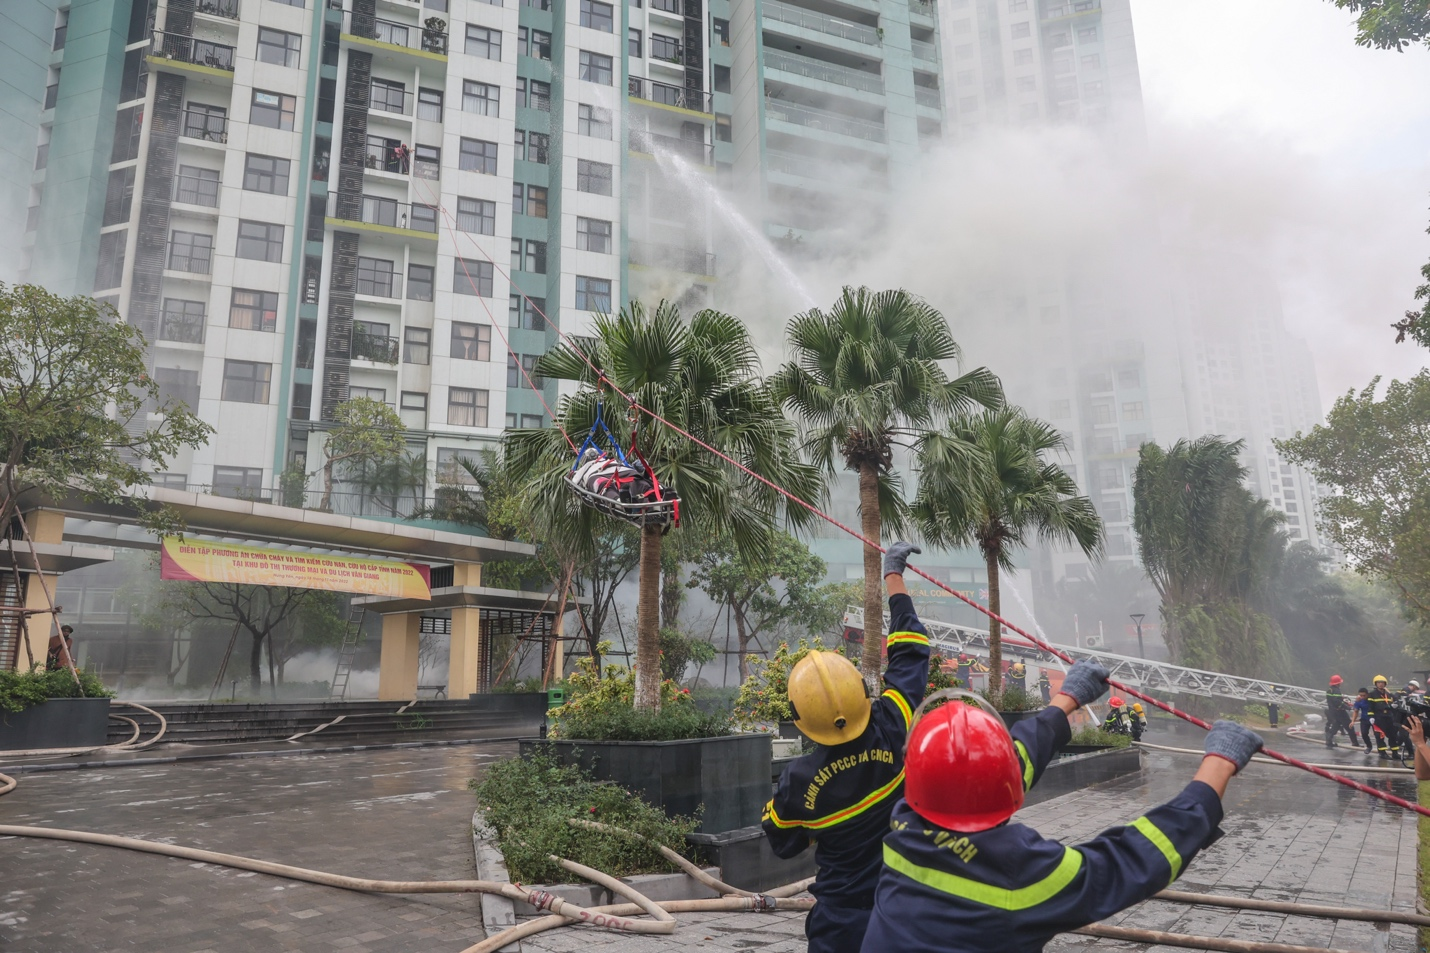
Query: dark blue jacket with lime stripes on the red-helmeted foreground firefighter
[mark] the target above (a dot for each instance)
(1010, 889)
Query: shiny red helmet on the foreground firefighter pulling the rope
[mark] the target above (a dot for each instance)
(960, 769)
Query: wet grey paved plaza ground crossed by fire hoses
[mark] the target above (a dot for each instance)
(407, 815)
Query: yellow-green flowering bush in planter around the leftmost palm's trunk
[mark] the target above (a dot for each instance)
(601, 708)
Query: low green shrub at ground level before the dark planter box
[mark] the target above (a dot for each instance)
(530, 801)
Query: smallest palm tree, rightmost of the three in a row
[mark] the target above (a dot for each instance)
(985, 482)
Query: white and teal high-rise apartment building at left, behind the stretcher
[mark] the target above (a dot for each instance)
(307, 201)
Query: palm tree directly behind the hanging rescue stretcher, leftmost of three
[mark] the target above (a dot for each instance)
(703, 377)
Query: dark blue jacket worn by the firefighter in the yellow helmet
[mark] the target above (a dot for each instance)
(840, 798)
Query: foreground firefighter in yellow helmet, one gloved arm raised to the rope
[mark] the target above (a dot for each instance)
(842, 796)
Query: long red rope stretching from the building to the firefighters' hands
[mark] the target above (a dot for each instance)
(1163, 706)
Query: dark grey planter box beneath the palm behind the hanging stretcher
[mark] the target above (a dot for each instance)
(730, 775)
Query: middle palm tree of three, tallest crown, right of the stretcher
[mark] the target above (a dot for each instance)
(867, 376)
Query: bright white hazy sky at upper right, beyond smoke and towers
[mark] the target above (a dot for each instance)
(1283, 79)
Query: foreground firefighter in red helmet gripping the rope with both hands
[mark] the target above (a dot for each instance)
(960, 876)
